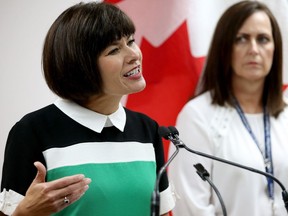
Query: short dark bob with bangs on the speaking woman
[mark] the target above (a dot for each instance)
(73, 44)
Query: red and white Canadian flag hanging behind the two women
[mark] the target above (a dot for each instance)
(174, 36)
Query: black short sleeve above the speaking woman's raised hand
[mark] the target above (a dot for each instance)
(21, 151)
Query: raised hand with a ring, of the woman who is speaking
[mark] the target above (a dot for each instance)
(44, 198)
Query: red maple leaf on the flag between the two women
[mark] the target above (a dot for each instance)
(171, 73)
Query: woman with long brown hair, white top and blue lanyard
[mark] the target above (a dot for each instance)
(240, 115)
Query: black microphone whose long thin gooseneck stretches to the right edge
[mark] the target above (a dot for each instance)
(174, 138)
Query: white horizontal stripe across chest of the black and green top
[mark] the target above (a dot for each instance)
(104, 152)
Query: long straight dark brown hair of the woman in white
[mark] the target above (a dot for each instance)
(217, 74)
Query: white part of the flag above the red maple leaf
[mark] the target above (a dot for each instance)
(157, 20)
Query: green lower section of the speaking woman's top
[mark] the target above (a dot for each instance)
(118, 189)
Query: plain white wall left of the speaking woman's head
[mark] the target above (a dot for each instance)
(23, 26)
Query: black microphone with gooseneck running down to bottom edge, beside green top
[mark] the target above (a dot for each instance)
(155, 198)
